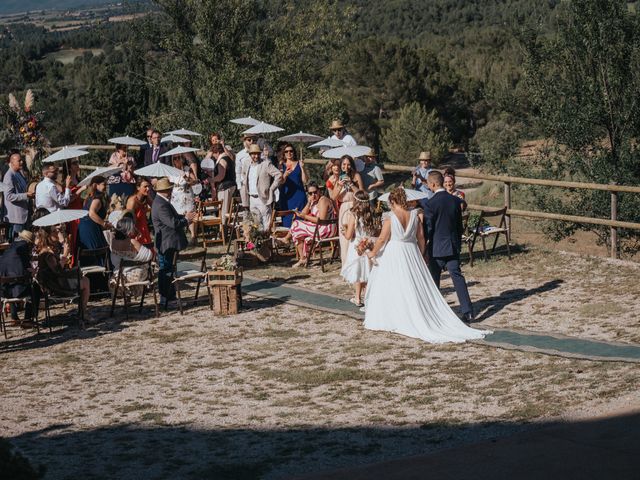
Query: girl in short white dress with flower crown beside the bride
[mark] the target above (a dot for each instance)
(361, 226)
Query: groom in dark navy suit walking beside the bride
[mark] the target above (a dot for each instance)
(443, 231)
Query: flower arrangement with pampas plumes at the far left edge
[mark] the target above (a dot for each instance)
(25, 127)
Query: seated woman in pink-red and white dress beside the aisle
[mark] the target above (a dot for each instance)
(303, 227)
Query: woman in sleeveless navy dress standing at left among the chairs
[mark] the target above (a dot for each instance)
(90, 230)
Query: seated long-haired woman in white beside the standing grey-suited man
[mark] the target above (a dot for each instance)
(126, 246)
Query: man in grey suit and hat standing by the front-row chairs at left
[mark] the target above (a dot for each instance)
(170, 236)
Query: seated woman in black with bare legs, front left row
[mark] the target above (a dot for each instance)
(54, 276)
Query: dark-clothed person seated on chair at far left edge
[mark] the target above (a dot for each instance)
(16, 262)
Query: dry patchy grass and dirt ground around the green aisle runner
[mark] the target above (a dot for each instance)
(280, 390)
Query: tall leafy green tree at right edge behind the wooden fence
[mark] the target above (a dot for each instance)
(583, 82)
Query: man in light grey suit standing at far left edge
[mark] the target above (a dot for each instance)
(16, 197)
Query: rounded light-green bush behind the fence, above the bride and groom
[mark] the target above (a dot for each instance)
(413, 130)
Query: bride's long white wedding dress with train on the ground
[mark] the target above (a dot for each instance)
(402, 297)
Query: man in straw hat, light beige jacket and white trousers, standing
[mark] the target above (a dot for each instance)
(259, 182)
